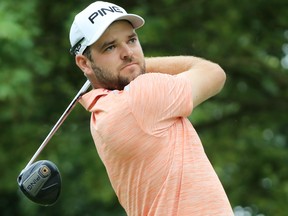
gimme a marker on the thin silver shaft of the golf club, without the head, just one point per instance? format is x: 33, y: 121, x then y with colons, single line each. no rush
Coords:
x: 60, y: 121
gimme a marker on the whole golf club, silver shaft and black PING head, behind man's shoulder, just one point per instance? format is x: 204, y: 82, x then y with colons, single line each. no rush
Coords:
x: 41, y: 181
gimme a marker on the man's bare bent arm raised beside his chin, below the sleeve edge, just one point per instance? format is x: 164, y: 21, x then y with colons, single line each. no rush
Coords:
x: 206, y: 78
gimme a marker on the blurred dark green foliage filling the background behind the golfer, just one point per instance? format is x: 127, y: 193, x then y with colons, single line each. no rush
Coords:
x: 244, y: 129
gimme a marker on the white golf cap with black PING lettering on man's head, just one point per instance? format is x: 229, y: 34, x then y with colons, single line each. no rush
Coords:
x: 90, y: 24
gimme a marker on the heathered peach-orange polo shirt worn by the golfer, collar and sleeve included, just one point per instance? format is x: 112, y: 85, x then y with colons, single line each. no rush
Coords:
x: 153, y: 156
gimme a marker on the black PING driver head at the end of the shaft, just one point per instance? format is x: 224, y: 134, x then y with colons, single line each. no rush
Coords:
x: 41, y: 182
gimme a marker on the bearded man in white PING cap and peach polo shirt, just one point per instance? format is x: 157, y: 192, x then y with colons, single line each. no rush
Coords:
x: 139, y: 108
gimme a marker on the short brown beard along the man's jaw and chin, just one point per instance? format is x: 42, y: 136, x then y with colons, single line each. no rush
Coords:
x: 108, y: 80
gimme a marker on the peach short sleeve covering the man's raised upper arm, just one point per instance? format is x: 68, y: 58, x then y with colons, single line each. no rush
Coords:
x: 158, y: 100
